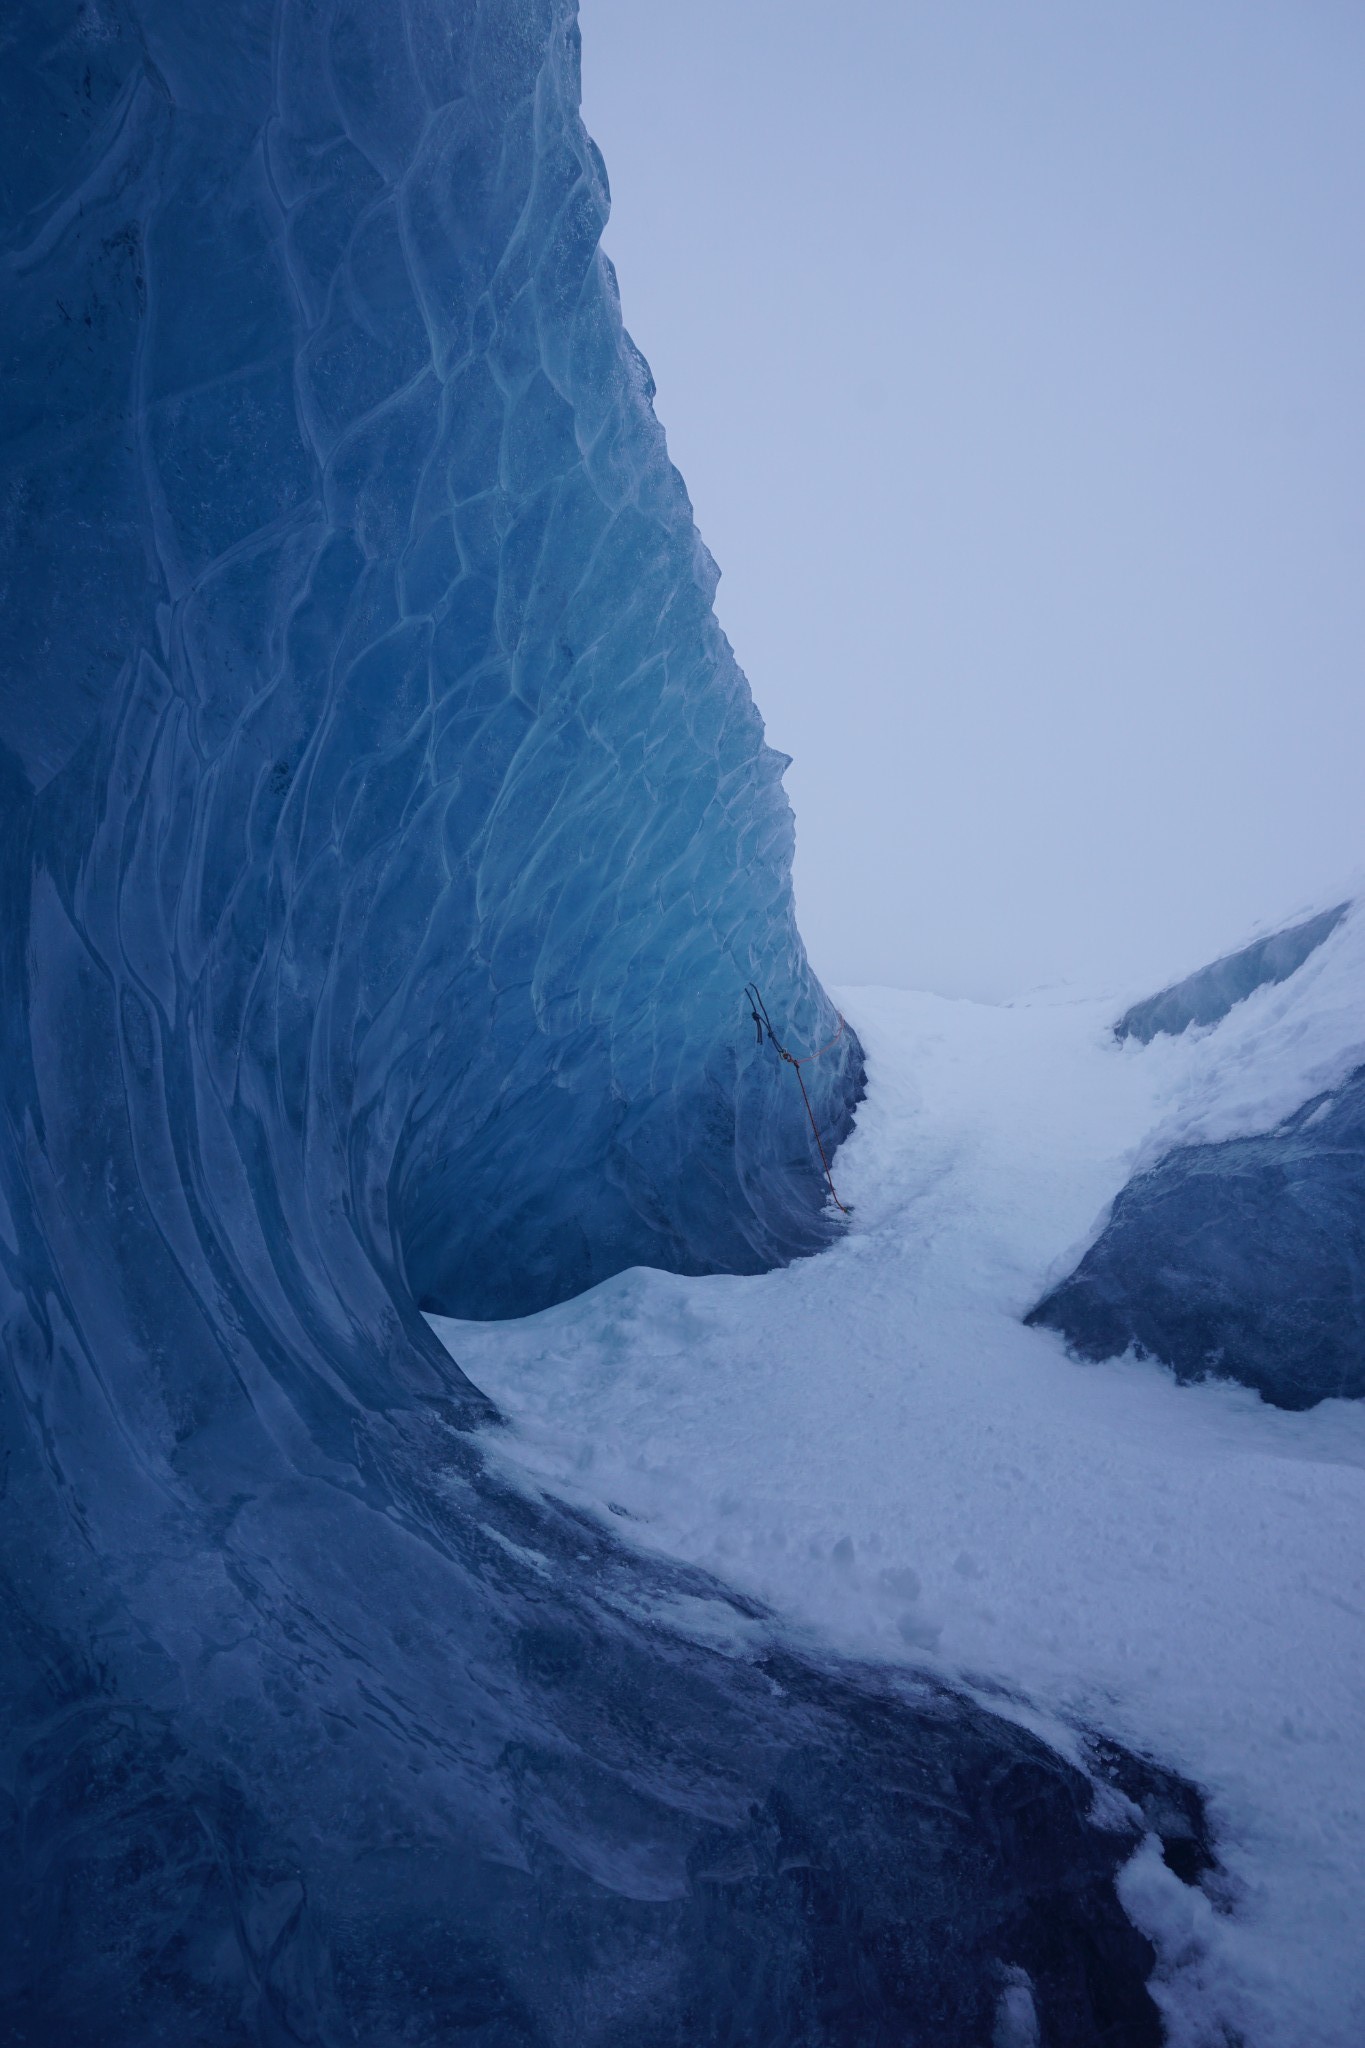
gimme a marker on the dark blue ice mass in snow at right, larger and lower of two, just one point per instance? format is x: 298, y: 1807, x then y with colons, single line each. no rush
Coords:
x: 1243, y: 1261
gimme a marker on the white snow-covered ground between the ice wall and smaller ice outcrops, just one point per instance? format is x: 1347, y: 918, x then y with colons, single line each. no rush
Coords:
x: 875, y: 1447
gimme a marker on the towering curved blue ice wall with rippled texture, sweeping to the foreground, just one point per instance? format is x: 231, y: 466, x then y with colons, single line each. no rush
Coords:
x: 386, y: 835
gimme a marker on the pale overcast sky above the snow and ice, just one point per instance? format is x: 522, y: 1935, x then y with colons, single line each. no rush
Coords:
x: 1012, y: 353
